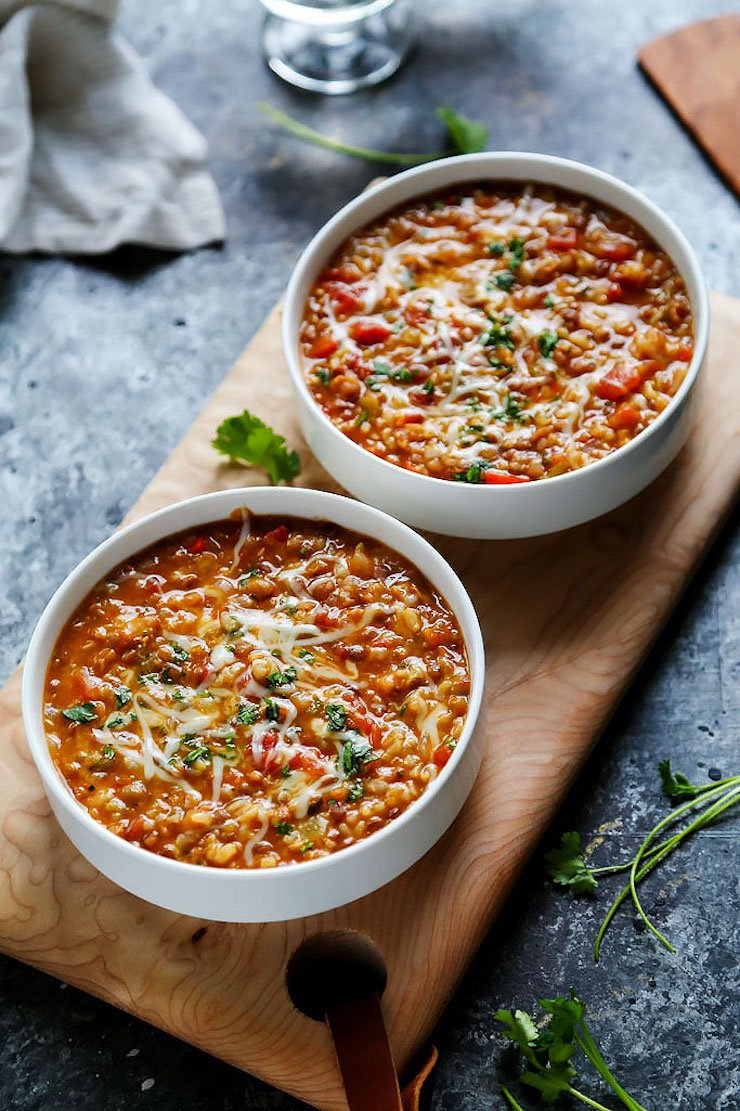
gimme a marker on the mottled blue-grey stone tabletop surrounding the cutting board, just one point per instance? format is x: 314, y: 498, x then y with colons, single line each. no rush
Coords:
x: 105, y: 365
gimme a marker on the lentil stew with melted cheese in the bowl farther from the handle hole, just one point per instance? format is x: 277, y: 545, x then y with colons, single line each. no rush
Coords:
x: 497, y: 335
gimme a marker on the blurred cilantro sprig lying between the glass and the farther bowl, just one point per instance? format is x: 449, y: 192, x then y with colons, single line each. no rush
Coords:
x: 465, y: 136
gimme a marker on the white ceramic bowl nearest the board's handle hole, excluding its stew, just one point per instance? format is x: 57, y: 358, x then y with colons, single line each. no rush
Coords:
x: 295, y: 890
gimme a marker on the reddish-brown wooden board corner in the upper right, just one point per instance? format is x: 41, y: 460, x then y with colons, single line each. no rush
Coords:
x: 698, y: 72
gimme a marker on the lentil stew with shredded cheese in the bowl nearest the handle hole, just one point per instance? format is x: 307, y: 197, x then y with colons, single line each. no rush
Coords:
x: 256, y: 693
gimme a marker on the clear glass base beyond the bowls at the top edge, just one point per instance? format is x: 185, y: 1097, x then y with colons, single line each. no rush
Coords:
x: 336, y: 46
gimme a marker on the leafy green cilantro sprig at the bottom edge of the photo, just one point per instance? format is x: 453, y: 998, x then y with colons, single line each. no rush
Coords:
x: 548, y: 1054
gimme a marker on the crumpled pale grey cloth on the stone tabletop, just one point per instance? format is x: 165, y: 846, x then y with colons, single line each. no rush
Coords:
x: 92, y: 154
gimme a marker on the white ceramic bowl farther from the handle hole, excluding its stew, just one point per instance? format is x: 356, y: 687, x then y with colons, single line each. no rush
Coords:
x: 496, y: 512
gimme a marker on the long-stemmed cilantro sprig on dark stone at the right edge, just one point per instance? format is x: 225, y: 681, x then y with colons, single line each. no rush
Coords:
x: 695, y: 808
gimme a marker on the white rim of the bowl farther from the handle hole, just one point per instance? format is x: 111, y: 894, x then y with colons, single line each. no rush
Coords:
x: 315, y: 256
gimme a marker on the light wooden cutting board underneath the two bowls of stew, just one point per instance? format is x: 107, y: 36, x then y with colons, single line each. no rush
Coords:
x: 567, y: 620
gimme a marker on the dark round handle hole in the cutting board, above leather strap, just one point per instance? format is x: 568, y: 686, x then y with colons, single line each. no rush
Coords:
x: 331, y: 969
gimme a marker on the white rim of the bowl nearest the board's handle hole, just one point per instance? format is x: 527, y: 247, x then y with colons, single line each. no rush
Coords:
x: 44, y: 642
